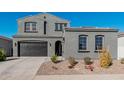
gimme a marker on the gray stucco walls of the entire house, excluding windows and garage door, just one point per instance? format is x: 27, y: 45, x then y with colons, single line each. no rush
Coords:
x: 69, y: 37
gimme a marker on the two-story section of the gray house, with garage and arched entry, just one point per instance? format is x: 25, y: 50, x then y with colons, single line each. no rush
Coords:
x: 39, y: 35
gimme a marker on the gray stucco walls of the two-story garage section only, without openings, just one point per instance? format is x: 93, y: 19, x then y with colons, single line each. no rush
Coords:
x: 51, y: 35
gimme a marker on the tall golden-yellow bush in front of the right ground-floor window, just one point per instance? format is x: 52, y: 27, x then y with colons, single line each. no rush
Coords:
x: 105, y: 58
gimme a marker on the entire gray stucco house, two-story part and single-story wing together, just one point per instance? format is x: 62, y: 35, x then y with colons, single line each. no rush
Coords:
x: 46, y: 35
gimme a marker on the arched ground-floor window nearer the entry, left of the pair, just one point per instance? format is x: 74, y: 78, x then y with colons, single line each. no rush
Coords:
x: 83, y: 42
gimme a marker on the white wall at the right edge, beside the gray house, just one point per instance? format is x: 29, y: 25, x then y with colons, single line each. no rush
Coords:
x: 120, y: 47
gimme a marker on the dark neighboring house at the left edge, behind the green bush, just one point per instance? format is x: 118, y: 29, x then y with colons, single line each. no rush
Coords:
x: 6, y: 45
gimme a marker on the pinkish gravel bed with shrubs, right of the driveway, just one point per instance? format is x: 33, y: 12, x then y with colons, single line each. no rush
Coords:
x: 104, y: 65
